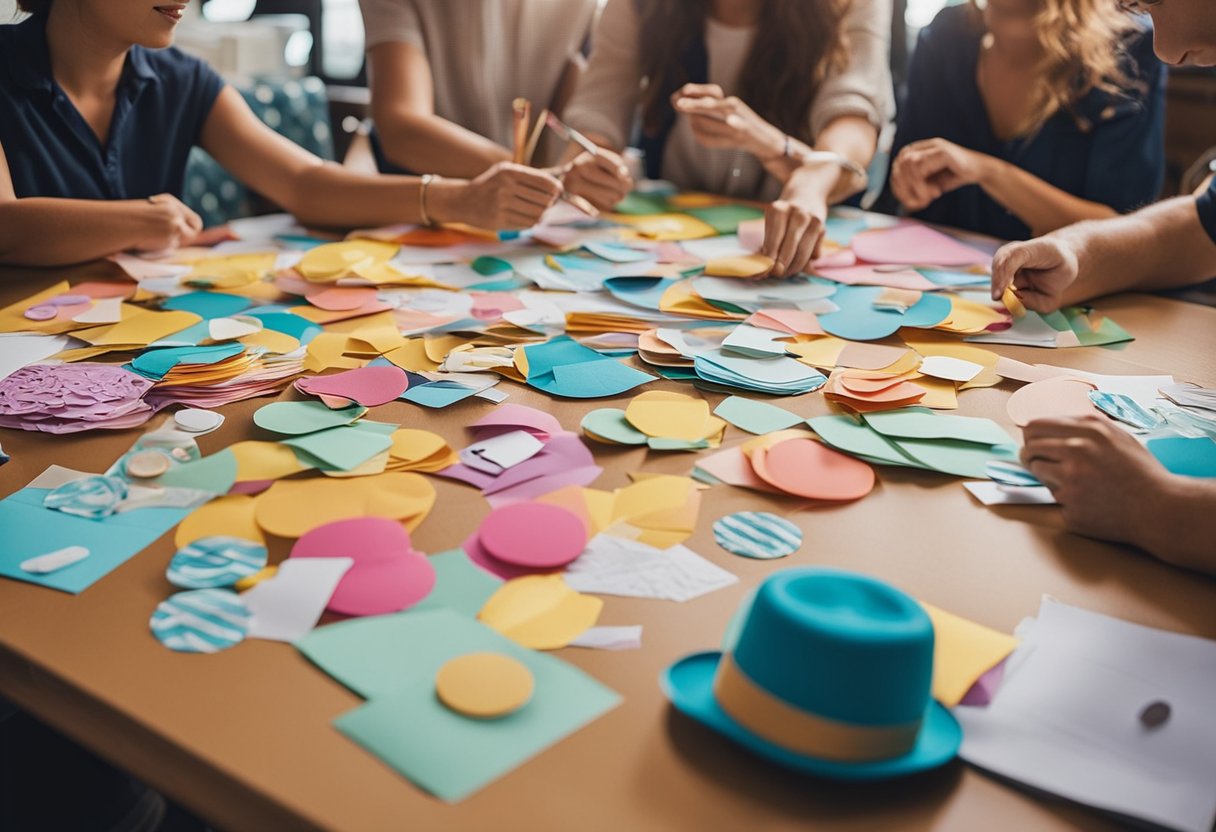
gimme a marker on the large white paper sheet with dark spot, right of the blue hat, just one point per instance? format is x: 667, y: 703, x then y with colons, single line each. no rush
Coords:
x: 1067, y: 718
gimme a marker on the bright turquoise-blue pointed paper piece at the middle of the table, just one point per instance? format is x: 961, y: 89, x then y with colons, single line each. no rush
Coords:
x: 565, y: 368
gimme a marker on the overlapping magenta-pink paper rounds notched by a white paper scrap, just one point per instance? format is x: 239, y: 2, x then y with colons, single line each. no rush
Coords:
x: 389, y: 575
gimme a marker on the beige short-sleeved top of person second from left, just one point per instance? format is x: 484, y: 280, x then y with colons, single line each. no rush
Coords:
x: 485, y: 54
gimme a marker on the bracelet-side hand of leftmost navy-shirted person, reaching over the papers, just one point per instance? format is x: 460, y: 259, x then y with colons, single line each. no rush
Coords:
x: 504, y: 198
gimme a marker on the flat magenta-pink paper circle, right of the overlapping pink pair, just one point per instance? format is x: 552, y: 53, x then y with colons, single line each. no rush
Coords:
x: 534, y: 535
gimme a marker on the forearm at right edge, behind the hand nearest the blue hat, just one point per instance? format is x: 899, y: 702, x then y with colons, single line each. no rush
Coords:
x: 1184, y: 525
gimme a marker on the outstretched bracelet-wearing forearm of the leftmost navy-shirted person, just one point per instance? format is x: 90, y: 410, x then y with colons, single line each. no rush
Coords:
x: 330, y: 196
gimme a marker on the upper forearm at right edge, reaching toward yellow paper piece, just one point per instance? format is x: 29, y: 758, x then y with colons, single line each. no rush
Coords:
x: 1157, y: 249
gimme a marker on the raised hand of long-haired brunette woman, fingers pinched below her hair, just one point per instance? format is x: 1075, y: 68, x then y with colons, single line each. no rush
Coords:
x: 727, y: 122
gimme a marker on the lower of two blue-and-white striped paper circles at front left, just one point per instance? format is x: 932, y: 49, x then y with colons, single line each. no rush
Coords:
x: 201, y: 621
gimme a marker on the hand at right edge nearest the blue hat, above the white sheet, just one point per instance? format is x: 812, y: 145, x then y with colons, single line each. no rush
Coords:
x: 1106, y: 482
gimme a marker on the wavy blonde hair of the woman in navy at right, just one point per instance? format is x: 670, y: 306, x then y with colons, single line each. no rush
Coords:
x: 1085, y: 49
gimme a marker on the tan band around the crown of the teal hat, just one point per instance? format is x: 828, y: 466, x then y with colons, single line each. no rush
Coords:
x: 797, y: 730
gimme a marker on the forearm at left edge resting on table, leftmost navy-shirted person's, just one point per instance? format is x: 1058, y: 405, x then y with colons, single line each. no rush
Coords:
x: 49, y: 233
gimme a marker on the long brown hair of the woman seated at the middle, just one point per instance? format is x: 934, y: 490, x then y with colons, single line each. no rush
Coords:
x: 798, y: 44
